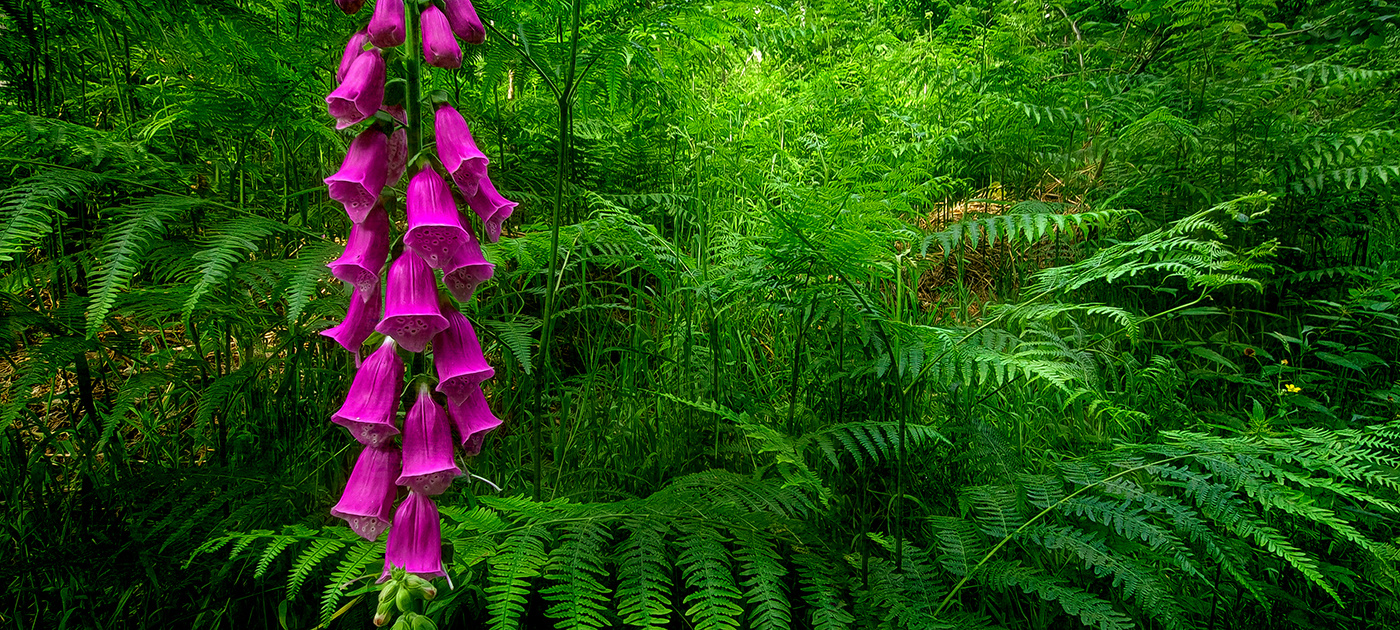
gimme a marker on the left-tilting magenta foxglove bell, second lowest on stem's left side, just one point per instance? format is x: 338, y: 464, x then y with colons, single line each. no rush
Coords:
x: 374, y: 398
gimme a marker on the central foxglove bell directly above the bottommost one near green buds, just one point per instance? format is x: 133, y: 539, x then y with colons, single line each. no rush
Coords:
x: 428, y: 447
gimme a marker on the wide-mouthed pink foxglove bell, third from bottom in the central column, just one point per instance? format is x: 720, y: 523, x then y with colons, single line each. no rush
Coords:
x: 411, y: 307
